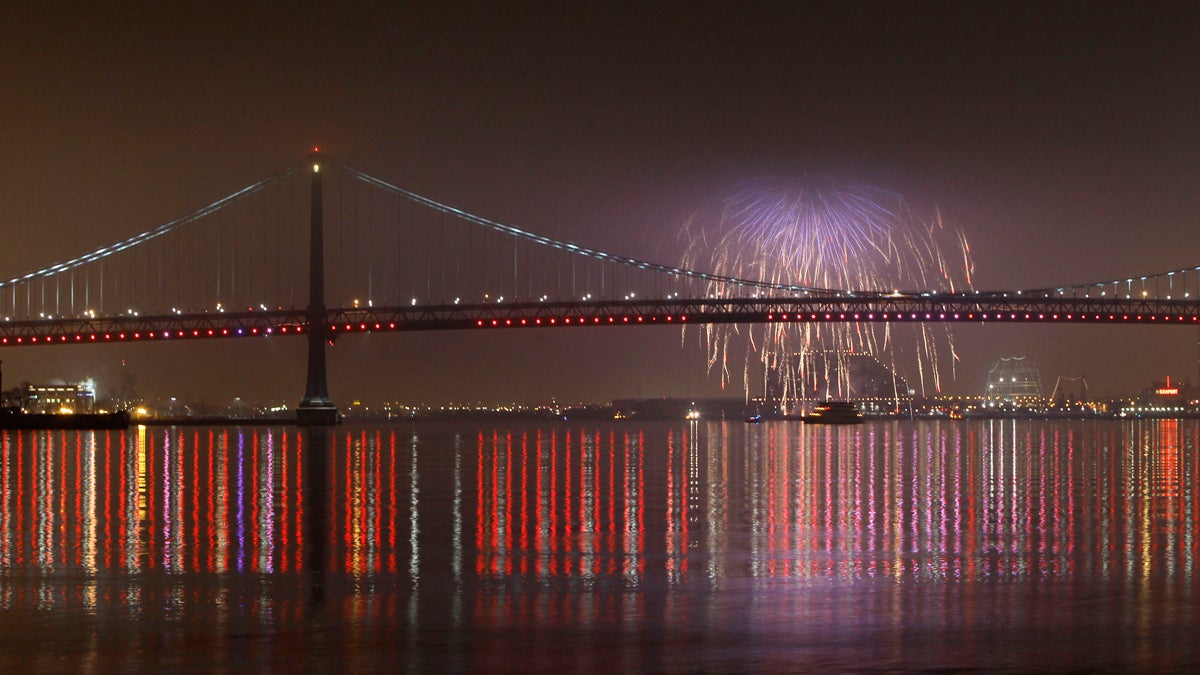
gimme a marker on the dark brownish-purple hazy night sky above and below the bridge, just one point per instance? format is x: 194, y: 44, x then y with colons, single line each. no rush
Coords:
x: 1065, y: 142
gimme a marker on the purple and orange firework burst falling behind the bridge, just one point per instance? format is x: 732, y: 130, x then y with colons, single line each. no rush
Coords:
x: 818, y: 234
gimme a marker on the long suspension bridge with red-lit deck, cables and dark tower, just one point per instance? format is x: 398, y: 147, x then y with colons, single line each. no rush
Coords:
x: 383, y: 259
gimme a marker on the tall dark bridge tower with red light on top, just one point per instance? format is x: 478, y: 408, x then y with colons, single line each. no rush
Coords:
x: 316, y: 409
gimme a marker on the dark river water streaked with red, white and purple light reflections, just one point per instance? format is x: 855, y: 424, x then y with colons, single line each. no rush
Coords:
x: 995, y: 546
